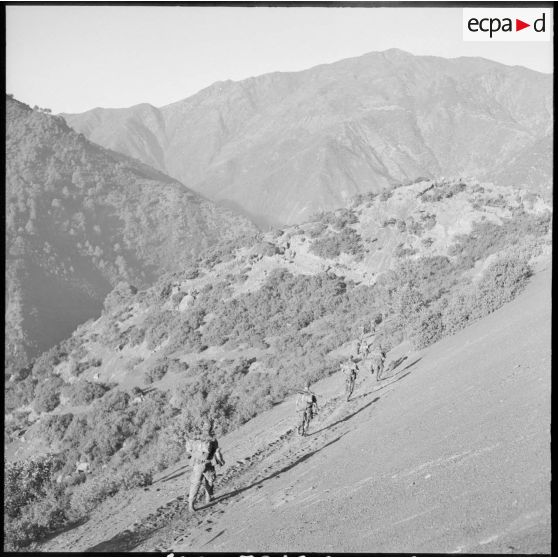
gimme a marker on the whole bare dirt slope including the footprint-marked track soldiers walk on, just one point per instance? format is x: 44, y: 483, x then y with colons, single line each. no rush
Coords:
x: 450, y: 454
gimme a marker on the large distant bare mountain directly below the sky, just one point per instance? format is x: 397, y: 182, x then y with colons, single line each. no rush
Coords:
x: 282, y: 146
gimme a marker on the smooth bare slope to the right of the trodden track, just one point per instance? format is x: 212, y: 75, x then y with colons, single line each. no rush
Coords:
x: 453, y: 458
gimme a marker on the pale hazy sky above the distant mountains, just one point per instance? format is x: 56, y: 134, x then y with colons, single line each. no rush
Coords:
x: 74, y: 58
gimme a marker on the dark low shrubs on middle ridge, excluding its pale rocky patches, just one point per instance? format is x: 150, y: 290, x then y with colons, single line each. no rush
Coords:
x: 289, y: 326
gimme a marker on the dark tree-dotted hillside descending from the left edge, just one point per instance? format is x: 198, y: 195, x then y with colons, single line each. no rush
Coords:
x: 80, y: 219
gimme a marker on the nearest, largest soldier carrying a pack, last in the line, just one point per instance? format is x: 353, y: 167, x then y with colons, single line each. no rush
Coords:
x: 205, y: 455
